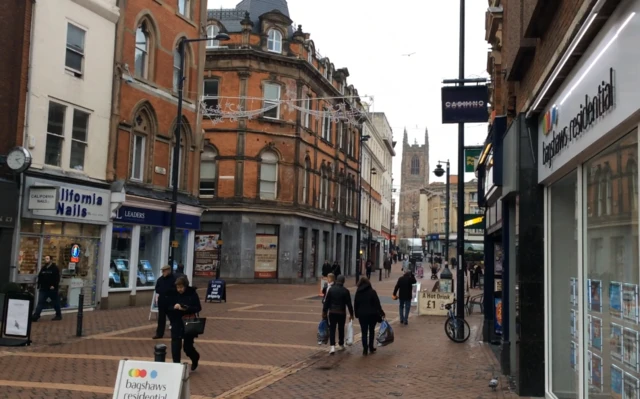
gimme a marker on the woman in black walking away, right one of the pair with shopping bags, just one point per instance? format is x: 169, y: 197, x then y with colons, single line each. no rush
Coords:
x: 369, y: 312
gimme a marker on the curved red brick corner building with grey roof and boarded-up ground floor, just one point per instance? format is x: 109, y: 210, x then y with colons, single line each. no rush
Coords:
x: 285, y: 170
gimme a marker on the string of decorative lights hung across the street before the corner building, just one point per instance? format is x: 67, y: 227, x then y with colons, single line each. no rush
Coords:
x: 339, y: 109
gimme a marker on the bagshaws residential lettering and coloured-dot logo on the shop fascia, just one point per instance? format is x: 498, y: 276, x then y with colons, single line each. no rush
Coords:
x: 558, y: 137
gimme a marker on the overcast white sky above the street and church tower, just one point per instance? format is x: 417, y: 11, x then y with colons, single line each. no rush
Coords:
x: 369, y: 37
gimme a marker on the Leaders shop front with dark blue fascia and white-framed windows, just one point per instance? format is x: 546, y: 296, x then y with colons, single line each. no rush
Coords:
x: 139, y: 246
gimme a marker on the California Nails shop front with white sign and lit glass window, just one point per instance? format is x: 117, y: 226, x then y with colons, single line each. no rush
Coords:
x: 68, y: 223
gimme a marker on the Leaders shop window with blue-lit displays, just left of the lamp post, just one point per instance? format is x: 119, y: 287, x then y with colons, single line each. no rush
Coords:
x: 149, y: 261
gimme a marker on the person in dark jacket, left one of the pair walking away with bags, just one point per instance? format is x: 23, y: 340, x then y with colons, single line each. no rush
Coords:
x: 336, y: 302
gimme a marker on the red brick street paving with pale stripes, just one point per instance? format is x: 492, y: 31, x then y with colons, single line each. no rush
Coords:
x: 261, y: 344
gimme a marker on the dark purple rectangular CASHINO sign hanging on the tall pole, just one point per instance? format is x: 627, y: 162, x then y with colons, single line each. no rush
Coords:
x: 465, y: 104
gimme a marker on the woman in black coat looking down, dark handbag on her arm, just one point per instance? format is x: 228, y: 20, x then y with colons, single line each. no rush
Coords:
x: 184, y: 304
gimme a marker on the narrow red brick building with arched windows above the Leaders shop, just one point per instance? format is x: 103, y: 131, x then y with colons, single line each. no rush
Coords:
x: 142, y: 137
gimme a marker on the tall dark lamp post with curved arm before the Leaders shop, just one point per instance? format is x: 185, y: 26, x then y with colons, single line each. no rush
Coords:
x: 175, y: 167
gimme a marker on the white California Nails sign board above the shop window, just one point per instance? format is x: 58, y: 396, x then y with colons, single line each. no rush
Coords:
x: 53, y: 200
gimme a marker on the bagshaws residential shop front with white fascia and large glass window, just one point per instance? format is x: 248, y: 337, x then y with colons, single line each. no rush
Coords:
x: 588, y: 151
